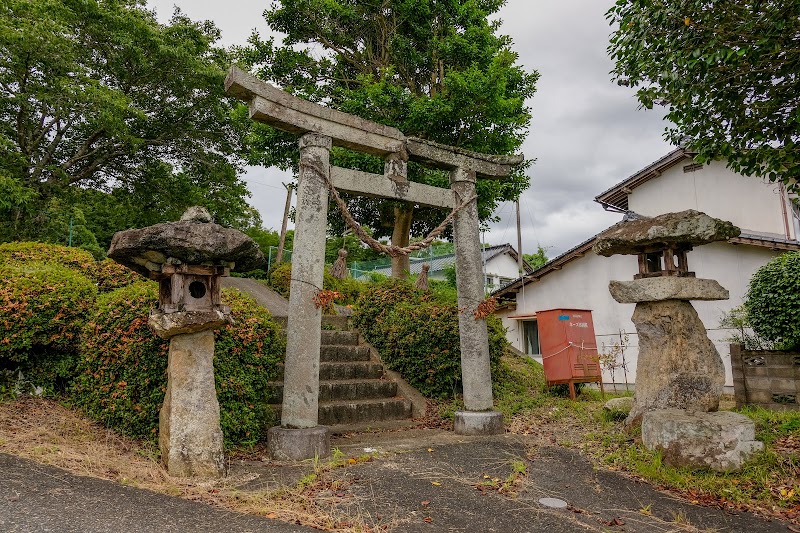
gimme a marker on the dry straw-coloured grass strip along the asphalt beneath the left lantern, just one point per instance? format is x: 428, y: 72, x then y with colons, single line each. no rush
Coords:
x: 49, y: 433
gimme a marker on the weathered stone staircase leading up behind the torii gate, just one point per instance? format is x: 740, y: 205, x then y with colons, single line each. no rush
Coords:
x: 355, y: 391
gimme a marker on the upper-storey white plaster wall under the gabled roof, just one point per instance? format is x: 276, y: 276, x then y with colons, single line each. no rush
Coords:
x: 749, y: 202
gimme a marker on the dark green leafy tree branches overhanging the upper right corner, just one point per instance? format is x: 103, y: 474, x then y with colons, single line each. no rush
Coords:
x: 727, y: 72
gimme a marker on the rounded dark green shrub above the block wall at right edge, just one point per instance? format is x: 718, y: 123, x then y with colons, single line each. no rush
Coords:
x: 773, y: 301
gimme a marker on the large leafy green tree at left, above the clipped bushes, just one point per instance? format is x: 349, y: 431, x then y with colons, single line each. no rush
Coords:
x: 103, y: 108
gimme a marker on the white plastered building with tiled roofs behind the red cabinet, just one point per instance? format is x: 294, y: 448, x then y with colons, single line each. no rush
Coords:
x: 578, y: 278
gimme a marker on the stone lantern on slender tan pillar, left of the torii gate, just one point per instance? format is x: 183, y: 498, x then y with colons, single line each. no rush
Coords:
x: 188, y: 258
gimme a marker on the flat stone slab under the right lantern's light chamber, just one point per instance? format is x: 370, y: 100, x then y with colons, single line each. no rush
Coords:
x: 666, y: 288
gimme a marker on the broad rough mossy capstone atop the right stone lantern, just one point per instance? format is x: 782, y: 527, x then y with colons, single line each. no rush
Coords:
x: 689, y: 227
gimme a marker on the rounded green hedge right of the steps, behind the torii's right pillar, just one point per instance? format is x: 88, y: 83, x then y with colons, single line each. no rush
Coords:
x: 417, y: 335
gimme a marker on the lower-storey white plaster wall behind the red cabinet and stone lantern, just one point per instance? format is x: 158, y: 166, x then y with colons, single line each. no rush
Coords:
x: 583, y: 284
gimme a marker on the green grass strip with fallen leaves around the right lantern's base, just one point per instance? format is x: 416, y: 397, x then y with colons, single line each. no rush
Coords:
x: 769, y: 483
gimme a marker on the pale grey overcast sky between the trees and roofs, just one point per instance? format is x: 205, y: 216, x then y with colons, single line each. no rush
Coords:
x: 587, y: 133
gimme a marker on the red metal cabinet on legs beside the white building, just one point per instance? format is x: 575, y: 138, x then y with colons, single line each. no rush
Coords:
x: 569, y: 347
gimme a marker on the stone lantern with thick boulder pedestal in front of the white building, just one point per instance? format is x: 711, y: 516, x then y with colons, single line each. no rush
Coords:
x: 678, y: 366
